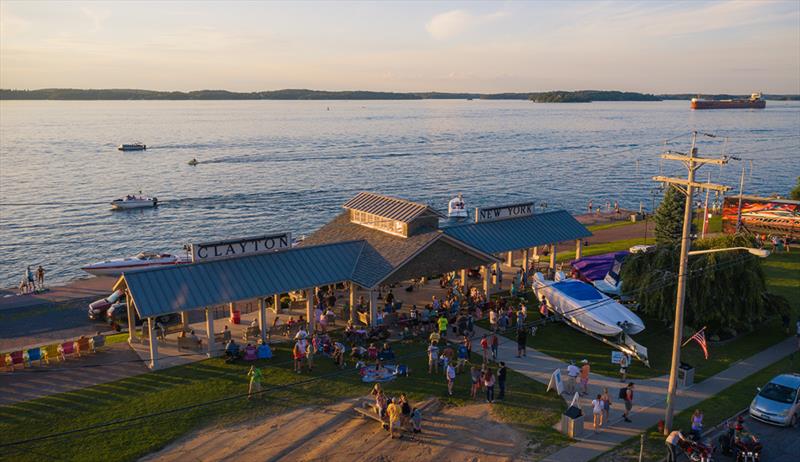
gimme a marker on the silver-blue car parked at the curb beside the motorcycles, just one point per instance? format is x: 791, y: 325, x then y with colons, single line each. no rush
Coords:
x: 778, y: 402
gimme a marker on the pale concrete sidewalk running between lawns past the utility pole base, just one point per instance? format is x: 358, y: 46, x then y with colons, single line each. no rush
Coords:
x: 649, y: 395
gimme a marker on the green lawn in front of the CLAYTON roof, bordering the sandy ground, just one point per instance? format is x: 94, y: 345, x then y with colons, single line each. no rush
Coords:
x: 529, y: 406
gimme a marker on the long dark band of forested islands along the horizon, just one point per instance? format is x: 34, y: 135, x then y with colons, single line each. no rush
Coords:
x: 580, y: 96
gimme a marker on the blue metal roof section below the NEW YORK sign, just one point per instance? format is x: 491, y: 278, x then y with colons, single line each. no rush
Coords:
x: 519, y: 233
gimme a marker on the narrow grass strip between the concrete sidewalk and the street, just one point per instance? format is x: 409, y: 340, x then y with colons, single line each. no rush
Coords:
x: 715, y: 409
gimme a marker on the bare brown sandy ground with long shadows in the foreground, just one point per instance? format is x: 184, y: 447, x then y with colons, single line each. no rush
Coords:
x: 468, y: 433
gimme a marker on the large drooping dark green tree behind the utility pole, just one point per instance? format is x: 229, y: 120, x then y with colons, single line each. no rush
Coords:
x: 724, y: 290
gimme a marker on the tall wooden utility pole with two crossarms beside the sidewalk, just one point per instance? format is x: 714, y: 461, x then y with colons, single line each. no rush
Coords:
x: 692, y: 163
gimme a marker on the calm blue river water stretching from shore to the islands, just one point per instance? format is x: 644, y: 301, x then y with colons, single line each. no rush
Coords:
x: 274, y: 166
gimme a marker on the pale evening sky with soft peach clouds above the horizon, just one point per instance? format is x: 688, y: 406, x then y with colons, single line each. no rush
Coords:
x: 490, y: 47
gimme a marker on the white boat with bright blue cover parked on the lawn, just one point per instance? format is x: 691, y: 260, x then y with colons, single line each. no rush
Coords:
x: 586, y: 307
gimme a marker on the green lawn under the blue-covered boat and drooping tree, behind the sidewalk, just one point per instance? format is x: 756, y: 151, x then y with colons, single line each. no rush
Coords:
x: 563, y: 342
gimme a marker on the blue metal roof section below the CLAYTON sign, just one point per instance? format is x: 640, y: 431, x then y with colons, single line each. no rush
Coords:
x: 179, y: 288
